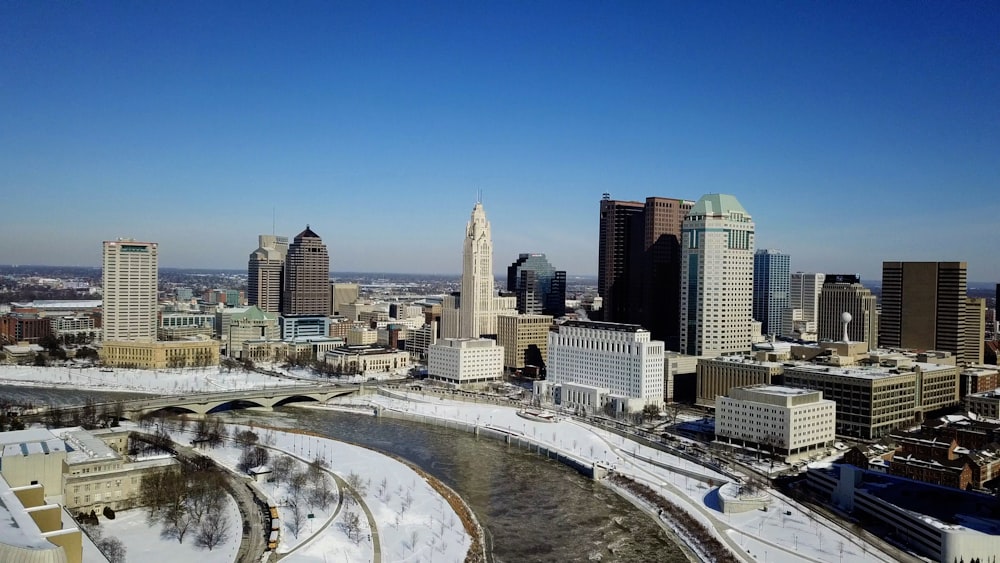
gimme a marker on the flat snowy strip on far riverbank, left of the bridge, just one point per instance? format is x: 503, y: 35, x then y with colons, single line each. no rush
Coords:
x: 167, y: 381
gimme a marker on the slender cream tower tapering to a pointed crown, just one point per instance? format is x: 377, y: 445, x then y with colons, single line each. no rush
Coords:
x: 477, y: 309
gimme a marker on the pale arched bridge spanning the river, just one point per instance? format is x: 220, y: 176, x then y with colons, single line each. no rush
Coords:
x: 206, y: 403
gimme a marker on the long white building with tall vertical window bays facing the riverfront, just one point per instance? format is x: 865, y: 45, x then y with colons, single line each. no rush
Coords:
x: 613, y: 356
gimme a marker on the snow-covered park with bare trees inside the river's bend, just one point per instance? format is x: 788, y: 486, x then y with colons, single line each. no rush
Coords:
x: 412, y: 521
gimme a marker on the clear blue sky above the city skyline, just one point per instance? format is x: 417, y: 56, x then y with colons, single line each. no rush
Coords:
x: 853, y: 132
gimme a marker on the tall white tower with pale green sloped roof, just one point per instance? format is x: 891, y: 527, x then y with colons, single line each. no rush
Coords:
x: 717, y: 277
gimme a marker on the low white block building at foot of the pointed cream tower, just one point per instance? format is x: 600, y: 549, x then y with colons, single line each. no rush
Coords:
x: 463, y: 361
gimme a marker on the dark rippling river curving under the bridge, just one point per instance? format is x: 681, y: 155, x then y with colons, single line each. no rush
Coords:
x: 533, y: 509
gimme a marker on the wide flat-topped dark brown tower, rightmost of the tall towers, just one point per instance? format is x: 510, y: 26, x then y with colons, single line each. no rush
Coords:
x: 923, y: 306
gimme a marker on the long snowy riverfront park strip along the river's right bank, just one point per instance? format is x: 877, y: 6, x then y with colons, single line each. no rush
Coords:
x: 785, y: 532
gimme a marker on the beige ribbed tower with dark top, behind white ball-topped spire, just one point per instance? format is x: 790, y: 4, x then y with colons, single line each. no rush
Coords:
x: 841, y: 294
